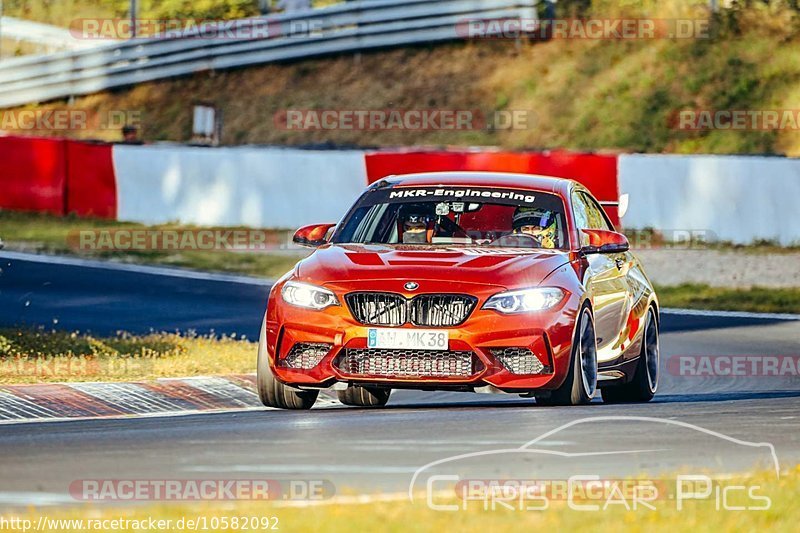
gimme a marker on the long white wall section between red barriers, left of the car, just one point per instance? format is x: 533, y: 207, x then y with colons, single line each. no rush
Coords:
x: 259, y: 187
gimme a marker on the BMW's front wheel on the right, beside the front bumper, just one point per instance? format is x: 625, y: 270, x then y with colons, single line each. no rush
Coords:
x: 581, y: 382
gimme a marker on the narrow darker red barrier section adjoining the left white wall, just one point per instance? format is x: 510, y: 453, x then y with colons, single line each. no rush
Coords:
x: 91, y: 185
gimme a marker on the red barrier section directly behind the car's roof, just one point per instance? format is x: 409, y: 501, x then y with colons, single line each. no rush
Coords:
x: 597, y: 172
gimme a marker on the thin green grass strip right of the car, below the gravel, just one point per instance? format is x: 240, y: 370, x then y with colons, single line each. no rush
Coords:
x: 756, y: 299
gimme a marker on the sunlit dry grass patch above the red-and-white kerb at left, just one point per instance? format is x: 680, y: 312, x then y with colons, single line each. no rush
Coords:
x: 28, y: 356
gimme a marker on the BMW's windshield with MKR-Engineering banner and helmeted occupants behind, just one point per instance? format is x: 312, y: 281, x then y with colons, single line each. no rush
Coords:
x: 456, y: 216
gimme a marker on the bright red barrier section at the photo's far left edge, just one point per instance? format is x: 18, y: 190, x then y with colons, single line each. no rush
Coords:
x: 32, y: 174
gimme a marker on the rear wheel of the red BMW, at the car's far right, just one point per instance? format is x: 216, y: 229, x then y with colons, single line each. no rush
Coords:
x: 644, y: 384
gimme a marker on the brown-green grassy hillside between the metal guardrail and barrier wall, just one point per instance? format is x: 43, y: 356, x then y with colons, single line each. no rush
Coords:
x: 578, y: 94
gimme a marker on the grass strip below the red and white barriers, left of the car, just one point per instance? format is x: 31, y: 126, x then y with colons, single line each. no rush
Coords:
x: 42, y: 233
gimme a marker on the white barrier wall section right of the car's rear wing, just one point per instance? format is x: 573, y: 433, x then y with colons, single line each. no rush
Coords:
x: 737, y: 198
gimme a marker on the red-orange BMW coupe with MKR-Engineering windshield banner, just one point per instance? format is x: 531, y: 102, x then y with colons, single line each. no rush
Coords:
x: 477, y: 282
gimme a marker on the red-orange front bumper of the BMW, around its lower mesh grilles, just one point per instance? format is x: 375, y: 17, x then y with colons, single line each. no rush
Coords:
x: 548, y: 335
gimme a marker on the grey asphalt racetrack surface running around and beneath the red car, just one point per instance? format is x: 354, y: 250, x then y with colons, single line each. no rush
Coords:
x: 705, y: 423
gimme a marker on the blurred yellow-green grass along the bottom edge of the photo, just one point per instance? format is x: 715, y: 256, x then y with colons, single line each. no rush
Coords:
x: 701, y: 516
